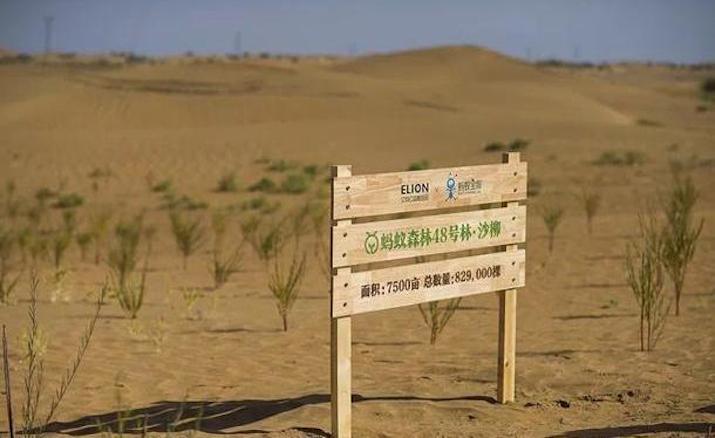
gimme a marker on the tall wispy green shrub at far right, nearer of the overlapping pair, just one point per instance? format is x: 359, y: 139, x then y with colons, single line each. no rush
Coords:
x: 644, y: 273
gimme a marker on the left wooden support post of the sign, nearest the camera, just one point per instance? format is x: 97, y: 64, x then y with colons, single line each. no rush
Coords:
x: 340, y: 347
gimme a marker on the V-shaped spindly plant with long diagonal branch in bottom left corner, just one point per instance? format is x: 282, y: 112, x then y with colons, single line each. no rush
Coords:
x: 35, y: 424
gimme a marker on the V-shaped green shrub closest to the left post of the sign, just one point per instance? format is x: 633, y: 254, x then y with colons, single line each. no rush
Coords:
x: 285, y: 282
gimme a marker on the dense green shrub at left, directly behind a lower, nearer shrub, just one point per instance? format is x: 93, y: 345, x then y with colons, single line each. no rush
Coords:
x: 123, y: 253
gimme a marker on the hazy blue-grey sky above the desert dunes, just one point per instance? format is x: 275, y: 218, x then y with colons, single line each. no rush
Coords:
x: 681, y: 31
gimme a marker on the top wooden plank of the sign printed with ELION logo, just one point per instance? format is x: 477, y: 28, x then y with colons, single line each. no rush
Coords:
x: 386, y: 193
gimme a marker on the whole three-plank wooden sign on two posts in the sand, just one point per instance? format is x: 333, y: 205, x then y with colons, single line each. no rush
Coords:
x: 454, y: 212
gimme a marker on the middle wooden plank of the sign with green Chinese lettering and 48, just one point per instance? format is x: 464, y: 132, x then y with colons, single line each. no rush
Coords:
x: 403, y: 238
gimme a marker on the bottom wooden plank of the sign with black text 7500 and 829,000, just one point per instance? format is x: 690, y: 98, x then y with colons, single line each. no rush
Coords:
x: 387, y: 288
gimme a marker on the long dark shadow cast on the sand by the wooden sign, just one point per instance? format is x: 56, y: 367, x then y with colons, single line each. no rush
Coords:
x: 218, y: 417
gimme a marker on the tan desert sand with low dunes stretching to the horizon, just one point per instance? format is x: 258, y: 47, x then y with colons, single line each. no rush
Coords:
x: 579, y: 369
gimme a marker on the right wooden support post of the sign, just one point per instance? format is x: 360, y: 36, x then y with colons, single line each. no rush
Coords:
x: 507, y: 326
